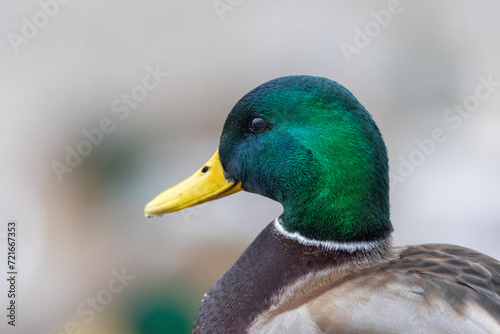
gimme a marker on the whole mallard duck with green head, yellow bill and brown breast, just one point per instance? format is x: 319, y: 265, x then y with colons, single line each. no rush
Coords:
x: 327, y: 264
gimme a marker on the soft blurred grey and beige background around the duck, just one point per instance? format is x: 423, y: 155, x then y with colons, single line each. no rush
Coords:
x: 88, y: 260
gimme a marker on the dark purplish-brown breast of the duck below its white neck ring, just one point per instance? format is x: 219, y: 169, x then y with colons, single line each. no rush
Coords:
x: 270, y: 264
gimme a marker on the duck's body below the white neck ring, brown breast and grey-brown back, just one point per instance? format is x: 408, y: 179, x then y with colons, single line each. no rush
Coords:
x: 430, y: 288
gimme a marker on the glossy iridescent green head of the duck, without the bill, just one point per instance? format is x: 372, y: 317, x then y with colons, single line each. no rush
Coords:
x: 307, y: 143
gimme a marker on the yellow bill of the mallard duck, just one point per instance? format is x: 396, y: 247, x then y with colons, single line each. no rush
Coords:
x: 207, y: 184
